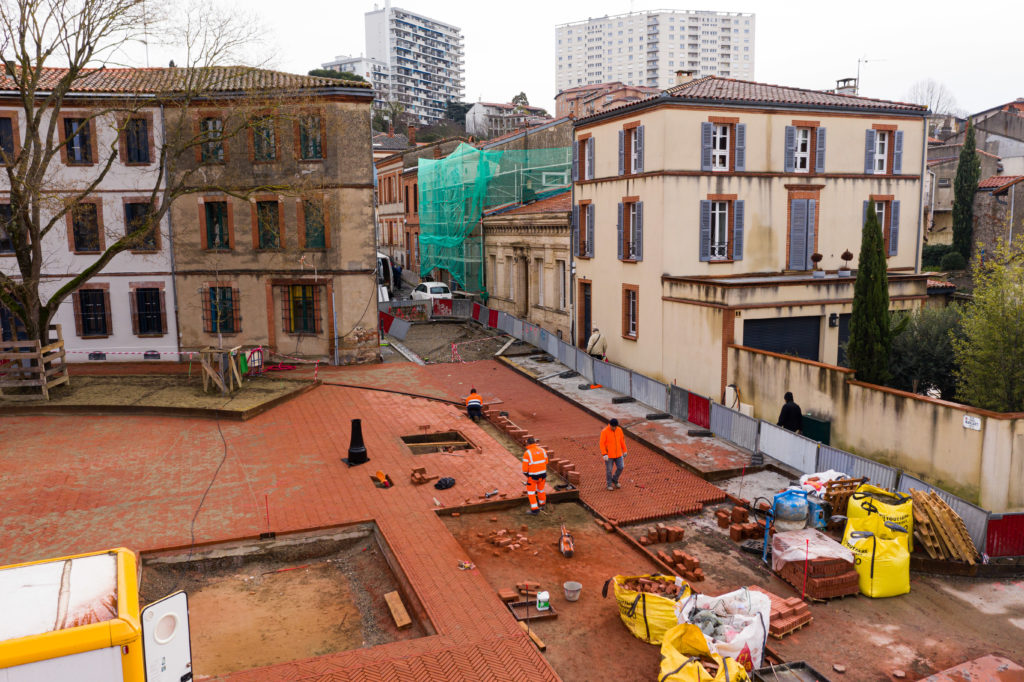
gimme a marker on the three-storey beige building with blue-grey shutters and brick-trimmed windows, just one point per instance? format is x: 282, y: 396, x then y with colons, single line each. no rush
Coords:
x: 698, y: 211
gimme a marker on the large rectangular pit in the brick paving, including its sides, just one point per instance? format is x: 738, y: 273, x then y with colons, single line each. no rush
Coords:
x: 300, y: 595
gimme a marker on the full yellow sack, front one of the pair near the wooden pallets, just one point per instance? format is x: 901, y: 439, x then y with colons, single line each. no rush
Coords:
x: 882, y: 561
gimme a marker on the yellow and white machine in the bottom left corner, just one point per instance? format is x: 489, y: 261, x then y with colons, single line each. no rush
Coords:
x: 77, y: 618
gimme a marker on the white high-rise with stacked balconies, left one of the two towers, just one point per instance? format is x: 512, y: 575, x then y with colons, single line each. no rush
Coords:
x: 413, y: 60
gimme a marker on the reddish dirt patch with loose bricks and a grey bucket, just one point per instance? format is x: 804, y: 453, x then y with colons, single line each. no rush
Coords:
x: 588, y: 641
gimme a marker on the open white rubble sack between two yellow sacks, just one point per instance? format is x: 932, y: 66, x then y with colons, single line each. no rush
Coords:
x: 733, y: 625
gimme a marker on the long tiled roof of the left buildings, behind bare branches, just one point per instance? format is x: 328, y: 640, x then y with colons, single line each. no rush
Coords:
x: 172, y: 80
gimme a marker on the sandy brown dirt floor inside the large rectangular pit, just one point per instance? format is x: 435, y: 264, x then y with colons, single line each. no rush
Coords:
x: 267, y: 612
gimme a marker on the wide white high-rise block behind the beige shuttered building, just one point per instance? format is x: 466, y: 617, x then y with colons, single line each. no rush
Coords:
x: 649, y: 48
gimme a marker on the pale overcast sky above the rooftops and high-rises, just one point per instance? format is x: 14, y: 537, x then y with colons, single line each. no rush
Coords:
x: 975, y: 51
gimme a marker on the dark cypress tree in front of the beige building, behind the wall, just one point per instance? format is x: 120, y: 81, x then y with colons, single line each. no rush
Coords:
x: 871, y: 337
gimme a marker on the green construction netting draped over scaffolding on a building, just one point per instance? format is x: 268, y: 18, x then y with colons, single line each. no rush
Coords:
x: 456, y: 192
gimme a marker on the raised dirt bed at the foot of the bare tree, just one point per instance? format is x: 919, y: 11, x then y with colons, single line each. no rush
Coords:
x: 163, y: 392
